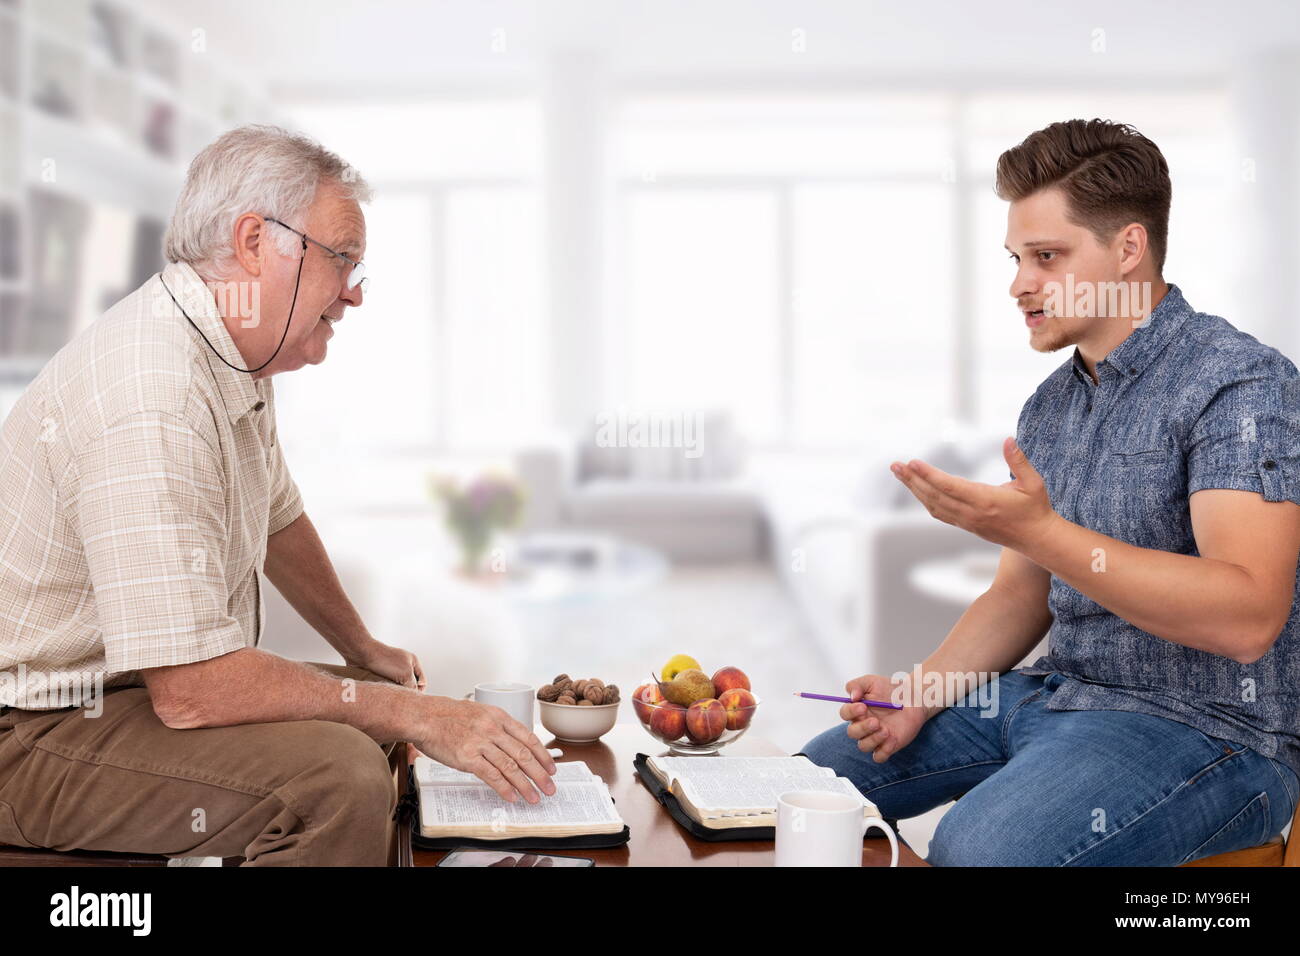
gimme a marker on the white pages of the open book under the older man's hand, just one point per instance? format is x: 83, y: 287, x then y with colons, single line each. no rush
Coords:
x: 458, y: 804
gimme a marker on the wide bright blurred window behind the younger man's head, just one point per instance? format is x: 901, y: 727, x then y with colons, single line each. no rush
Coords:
x: 831, y: 267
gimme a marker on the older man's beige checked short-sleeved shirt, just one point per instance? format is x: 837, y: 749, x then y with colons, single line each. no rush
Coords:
x: 140, y: 479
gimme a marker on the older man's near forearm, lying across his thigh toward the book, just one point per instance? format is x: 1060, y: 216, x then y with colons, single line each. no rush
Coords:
x: 252, y: 686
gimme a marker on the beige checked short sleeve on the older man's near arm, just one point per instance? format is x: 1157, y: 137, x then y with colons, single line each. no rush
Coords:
x: 149, y: 503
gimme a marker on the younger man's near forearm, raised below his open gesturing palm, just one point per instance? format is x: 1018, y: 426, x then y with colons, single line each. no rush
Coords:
x: 1199, y: 603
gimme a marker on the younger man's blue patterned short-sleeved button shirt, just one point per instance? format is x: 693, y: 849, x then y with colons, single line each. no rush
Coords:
x: 1185, y: 403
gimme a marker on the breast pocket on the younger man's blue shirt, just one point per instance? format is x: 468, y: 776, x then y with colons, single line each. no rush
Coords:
x: 1147, y: 500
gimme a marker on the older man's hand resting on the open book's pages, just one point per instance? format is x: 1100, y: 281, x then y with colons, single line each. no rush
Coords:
x: 487, y: 742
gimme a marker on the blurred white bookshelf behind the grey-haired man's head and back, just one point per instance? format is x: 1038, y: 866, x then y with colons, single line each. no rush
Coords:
x: 102, y: 107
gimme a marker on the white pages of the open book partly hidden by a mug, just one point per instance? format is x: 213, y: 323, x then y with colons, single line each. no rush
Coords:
x: 725, y: 793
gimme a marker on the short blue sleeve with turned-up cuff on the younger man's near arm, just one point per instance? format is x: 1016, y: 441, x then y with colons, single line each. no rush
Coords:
x: 1249, y: 436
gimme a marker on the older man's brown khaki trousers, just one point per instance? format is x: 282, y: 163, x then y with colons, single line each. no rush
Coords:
x: 284, y: 794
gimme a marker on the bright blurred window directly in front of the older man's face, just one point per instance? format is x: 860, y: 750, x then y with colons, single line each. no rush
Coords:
x: 449, y: 351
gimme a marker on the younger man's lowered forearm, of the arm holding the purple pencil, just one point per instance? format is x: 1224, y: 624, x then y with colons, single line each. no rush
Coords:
x: 991, y: 638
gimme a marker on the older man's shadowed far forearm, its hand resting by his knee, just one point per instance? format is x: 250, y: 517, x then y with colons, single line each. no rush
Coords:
x: 301, y: 570
